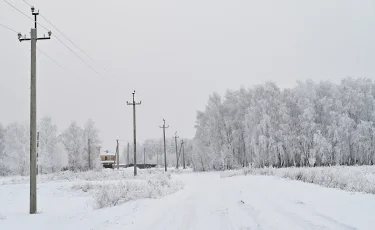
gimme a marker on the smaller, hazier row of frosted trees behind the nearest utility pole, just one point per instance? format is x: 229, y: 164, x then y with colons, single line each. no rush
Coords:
x: 68, y: 150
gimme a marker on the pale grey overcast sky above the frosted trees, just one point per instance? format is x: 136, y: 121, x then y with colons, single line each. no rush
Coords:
x: 175, y: 54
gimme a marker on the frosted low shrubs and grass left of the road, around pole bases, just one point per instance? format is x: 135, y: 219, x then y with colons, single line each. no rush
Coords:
x: 111, y: 187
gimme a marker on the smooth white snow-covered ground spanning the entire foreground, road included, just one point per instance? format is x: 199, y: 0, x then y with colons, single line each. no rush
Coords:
x: 207, y: 202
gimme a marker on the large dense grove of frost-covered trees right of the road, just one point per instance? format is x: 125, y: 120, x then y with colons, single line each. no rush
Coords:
x: 312, y: 124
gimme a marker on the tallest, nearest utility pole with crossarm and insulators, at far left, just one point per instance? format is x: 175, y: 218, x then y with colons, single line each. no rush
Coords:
x: 33, y: 145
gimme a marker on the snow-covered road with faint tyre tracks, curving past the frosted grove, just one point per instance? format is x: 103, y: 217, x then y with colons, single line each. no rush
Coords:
x: 255, y: 202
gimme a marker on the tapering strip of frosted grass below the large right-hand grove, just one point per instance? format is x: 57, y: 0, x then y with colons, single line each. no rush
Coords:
x: 350, y: 178
